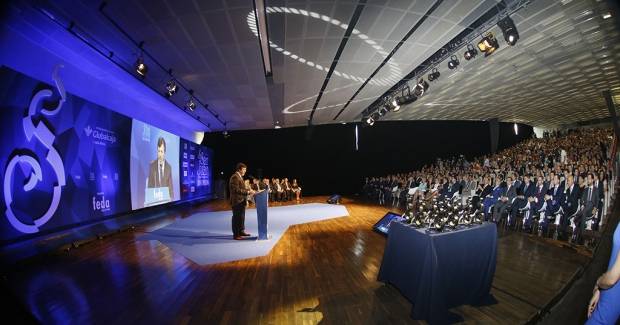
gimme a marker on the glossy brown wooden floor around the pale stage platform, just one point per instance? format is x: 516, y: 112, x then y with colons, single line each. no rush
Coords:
x: 322, y: 272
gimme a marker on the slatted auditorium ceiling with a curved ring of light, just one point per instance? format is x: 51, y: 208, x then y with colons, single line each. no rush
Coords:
x: 567, y: 54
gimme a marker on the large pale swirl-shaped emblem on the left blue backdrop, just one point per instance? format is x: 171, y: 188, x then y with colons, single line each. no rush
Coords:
x: 30, y: 163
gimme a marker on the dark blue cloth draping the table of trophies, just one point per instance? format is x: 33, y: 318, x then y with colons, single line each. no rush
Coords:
x: 438, y: 271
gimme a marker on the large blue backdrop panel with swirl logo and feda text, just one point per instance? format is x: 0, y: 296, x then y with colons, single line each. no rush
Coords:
x: 63, y: 161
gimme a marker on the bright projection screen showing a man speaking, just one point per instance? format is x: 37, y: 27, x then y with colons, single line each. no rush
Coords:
x: 154, y: 166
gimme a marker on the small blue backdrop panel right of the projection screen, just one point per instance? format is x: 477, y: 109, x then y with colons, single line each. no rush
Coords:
x: 195, y: 170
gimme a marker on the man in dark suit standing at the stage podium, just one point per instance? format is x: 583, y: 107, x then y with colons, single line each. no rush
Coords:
x: 238, y: 196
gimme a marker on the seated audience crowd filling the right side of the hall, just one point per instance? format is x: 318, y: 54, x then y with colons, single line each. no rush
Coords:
x: 559, y: 186
